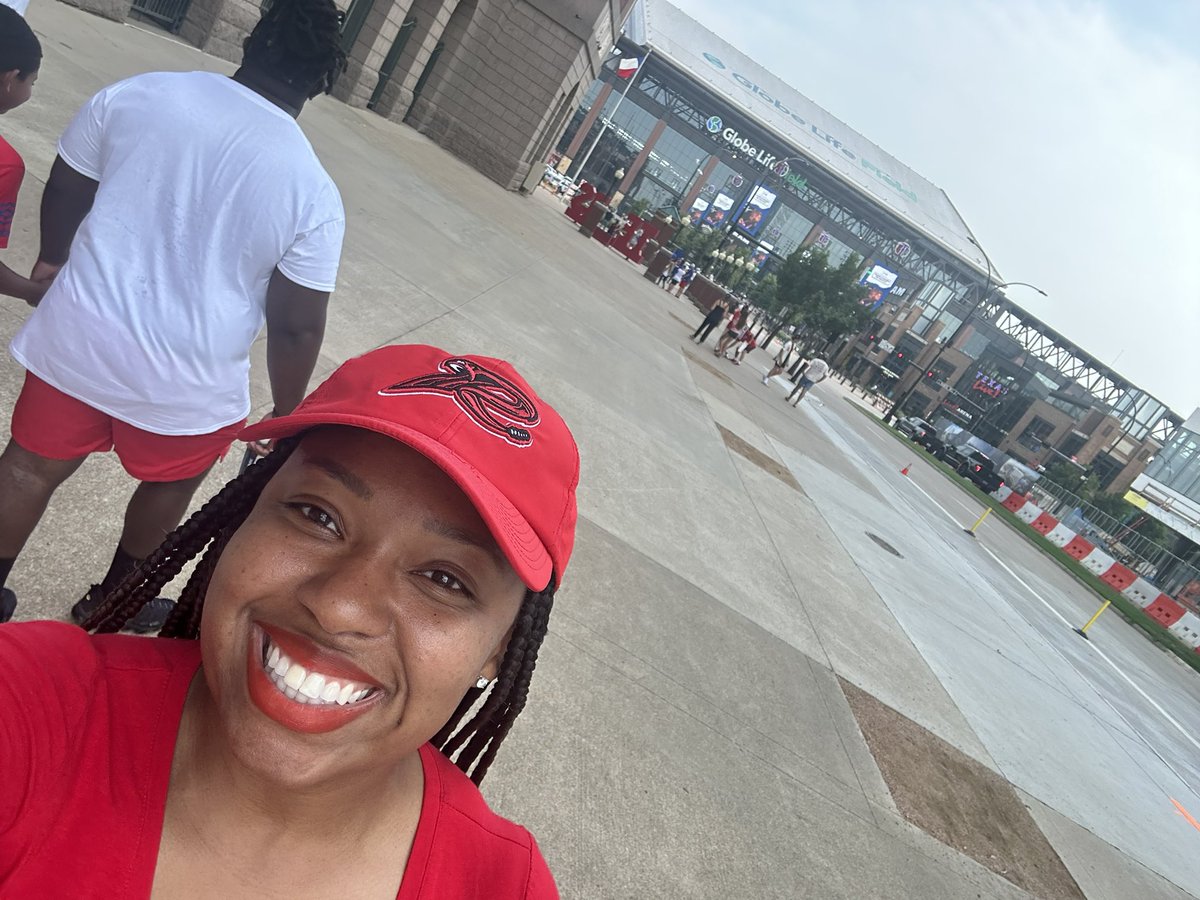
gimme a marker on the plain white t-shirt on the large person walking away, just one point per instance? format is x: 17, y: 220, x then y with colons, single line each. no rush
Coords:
x: 206, y: 189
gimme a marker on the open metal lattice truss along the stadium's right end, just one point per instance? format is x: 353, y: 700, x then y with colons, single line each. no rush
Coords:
x: 1141, y: 415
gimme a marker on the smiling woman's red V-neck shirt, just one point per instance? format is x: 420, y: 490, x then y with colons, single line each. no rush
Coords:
x: 88, y: 729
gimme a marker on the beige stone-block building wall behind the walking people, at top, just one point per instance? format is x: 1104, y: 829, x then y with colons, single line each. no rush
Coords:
x: 507, y: 81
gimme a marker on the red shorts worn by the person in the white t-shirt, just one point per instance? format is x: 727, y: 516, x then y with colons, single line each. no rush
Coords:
x: 52, y: 424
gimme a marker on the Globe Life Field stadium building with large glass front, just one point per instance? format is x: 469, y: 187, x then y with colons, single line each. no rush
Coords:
x: 707, y: 135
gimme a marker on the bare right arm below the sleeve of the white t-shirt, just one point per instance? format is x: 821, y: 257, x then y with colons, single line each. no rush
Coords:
x: 296, y: 327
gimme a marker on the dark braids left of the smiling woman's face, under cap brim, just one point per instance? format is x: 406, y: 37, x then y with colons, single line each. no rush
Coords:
x: 223, y: 513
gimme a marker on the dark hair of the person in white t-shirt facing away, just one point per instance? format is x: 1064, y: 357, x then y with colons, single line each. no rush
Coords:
x: 301, y: 44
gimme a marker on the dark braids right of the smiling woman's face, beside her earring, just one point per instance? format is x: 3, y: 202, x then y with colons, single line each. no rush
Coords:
x: 473, y: 742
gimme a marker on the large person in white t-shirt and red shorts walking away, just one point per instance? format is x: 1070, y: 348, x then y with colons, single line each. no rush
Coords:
x: 184, y: 212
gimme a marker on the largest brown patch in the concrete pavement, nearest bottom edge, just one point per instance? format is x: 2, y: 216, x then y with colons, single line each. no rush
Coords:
x: 958, y: 801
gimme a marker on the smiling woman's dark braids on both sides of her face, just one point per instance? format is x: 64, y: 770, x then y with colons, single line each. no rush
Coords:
x: 475, y: 731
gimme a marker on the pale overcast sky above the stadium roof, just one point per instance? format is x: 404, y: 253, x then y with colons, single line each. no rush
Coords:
x: 1067, y: 134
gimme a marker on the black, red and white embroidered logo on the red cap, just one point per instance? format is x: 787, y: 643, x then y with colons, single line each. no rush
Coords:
x: 490, y: 400
